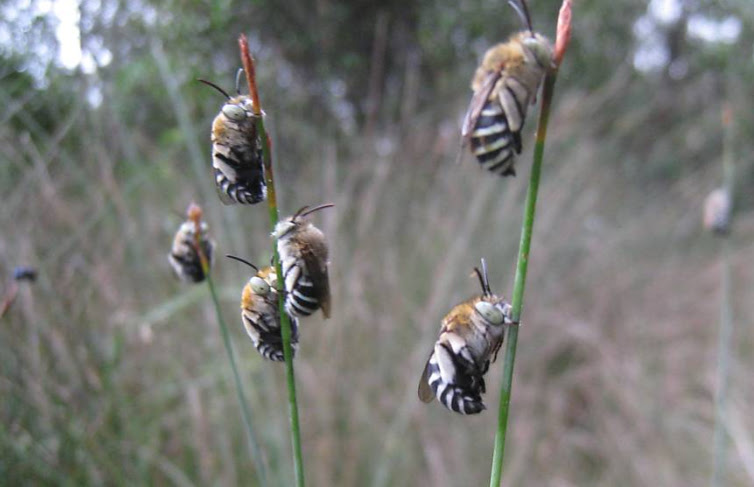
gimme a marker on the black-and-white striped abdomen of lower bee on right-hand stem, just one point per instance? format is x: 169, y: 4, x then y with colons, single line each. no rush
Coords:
x: 462, y: 394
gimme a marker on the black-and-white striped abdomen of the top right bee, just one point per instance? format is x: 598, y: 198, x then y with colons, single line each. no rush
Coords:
x: 492, y: 141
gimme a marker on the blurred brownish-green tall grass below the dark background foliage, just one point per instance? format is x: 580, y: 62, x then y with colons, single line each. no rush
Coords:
x: 114, y: 373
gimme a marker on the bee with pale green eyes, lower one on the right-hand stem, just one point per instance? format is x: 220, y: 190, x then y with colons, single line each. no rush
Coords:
x: 471, y: 335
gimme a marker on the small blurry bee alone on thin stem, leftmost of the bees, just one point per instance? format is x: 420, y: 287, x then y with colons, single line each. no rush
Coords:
x: 183, y: 256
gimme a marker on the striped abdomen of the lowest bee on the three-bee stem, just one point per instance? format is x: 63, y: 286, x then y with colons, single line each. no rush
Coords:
x: 264, y: 331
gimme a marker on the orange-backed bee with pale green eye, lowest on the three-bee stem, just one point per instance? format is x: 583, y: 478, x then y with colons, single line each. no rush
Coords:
x: 260, y: 314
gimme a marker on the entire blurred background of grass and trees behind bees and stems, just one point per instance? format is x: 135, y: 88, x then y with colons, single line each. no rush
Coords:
x: 111, y: 372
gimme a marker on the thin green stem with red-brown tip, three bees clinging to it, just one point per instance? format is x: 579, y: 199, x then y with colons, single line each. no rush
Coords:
x: 285, y: 325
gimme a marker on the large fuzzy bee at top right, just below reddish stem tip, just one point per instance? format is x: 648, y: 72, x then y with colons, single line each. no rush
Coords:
x: 504, y: 85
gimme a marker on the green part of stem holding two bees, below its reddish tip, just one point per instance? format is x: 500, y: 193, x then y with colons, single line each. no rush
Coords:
x: 520, y: 281
